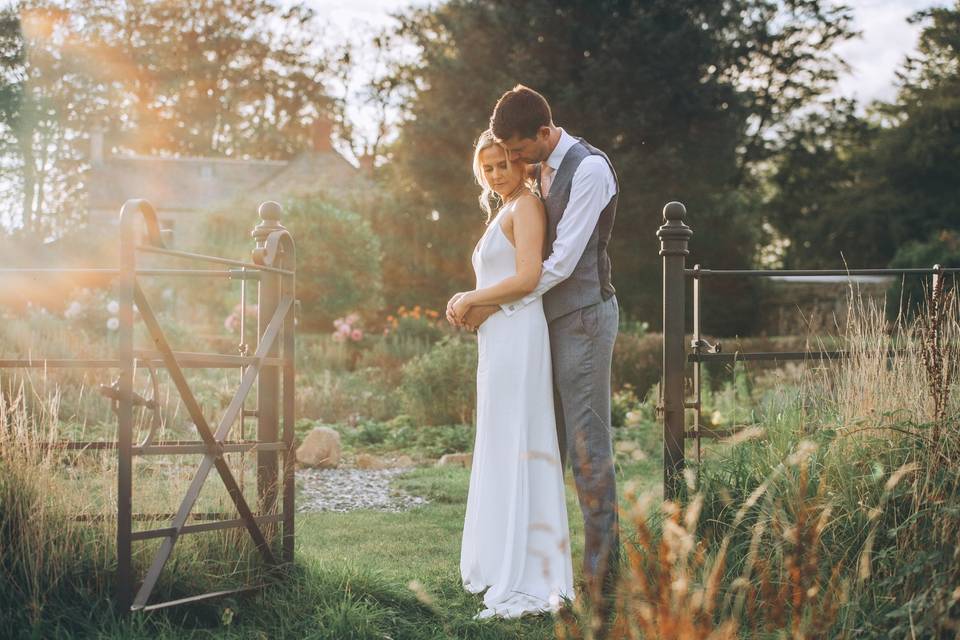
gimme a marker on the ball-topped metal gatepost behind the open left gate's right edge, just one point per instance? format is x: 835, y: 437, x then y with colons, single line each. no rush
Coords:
x: 268, y: 384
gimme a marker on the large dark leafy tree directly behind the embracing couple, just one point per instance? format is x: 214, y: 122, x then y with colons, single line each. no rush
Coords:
x: 679, y: 93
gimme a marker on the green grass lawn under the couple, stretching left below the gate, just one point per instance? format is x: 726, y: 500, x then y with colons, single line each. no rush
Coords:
x: 354, y: 571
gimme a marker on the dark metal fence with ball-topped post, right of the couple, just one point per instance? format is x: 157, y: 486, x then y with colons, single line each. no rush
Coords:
x: 675, y: 237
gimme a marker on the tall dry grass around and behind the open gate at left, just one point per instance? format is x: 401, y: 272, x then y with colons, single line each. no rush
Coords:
x: 58, y: 523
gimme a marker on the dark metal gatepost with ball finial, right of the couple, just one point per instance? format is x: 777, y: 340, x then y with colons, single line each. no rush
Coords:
x: 674, y: 237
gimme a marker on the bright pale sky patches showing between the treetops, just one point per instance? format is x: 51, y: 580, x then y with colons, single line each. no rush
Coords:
x: 873, y: 58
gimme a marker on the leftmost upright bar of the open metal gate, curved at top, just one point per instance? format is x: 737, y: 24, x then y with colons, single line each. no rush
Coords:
x: 125, y: 291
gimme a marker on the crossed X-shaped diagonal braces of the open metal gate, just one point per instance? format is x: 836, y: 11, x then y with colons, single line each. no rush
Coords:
x: 214, y: 455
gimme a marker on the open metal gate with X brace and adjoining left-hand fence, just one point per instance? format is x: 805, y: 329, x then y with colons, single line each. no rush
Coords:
x: 270, y: 367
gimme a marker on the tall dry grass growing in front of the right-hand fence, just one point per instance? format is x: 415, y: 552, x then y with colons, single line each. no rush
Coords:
x: 838, y: 518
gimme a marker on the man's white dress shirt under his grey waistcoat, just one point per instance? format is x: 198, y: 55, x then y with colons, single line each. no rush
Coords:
x: 592, y: 188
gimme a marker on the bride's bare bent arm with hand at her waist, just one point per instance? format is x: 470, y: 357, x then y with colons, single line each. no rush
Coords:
x: 529, y: 232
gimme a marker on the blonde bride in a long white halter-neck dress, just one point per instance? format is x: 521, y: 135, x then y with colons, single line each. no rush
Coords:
x: 516, y: 540
